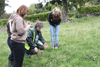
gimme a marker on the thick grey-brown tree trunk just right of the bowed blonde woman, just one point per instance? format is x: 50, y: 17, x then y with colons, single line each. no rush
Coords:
x: 65, y: 11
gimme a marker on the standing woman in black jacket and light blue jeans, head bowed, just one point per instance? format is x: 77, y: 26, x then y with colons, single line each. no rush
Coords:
x: 54, y: 19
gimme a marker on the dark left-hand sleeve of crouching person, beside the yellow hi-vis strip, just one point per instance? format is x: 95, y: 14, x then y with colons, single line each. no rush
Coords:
x: 29, y: 39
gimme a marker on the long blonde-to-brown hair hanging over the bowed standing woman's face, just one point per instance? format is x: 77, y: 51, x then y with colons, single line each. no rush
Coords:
x: 56, y: 13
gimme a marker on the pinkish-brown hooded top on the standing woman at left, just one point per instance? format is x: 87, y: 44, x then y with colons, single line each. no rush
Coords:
x: 18, y: 27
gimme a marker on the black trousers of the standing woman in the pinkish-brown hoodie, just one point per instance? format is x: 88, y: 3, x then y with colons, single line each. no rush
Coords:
x: 18, y: 50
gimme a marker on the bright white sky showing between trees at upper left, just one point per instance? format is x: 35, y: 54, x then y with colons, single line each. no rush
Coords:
x: 16, y: 3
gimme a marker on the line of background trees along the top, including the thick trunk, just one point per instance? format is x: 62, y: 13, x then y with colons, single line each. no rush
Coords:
x: 66, y: 6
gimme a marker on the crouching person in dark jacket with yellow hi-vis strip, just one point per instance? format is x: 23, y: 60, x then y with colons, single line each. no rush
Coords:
x: 34, y: 37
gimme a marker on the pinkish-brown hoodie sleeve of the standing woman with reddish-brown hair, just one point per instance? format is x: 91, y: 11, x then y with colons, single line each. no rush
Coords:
x: 21, y: 30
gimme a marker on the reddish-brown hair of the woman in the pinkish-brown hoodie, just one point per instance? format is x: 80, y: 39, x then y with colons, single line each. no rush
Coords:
x: 22, y: 10
